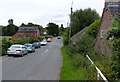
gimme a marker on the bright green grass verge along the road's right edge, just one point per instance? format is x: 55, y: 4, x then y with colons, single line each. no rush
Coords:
x: 68, y: 72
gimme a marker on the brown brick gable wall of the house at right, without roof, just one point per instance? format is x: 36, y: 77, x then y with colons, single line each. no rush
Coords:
x: 106, y: 22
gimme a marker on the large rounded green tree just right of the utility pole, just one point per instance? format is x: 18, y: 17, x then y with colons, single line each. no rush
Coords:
x: 82, y: 18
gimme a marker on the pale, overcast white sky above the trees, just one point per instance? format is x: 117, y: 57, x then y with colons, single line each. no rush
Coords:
x: 43, y: 11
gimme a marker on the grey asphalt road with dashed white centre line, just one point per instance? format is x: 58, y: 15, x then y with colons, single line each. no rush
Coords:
x: 43, y: 64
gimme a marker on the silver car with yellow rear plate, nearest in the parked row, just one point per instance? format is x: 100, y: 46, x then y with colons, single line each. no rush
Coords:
x: 15, y: 50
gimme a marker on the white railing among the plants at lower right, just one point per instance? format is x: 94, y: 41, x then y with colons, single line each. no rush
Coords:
x: 99, y: 73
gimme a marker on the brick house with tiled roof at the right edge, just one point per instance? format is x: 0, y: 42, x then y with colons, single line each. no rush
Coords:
x: 112, y: 7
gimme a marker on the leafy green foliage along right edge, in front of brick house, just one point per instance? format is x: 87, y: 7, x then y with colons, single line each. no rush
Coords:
x: 114, y: 32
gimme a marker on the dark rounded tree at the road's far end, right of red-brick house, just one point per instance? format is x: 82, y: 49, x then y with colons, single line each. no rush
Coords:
x: 53, y: 29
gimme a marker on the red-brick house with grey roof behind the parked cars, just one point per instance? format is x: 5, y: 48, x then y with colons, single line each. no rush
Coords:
x: 27, y: 32
